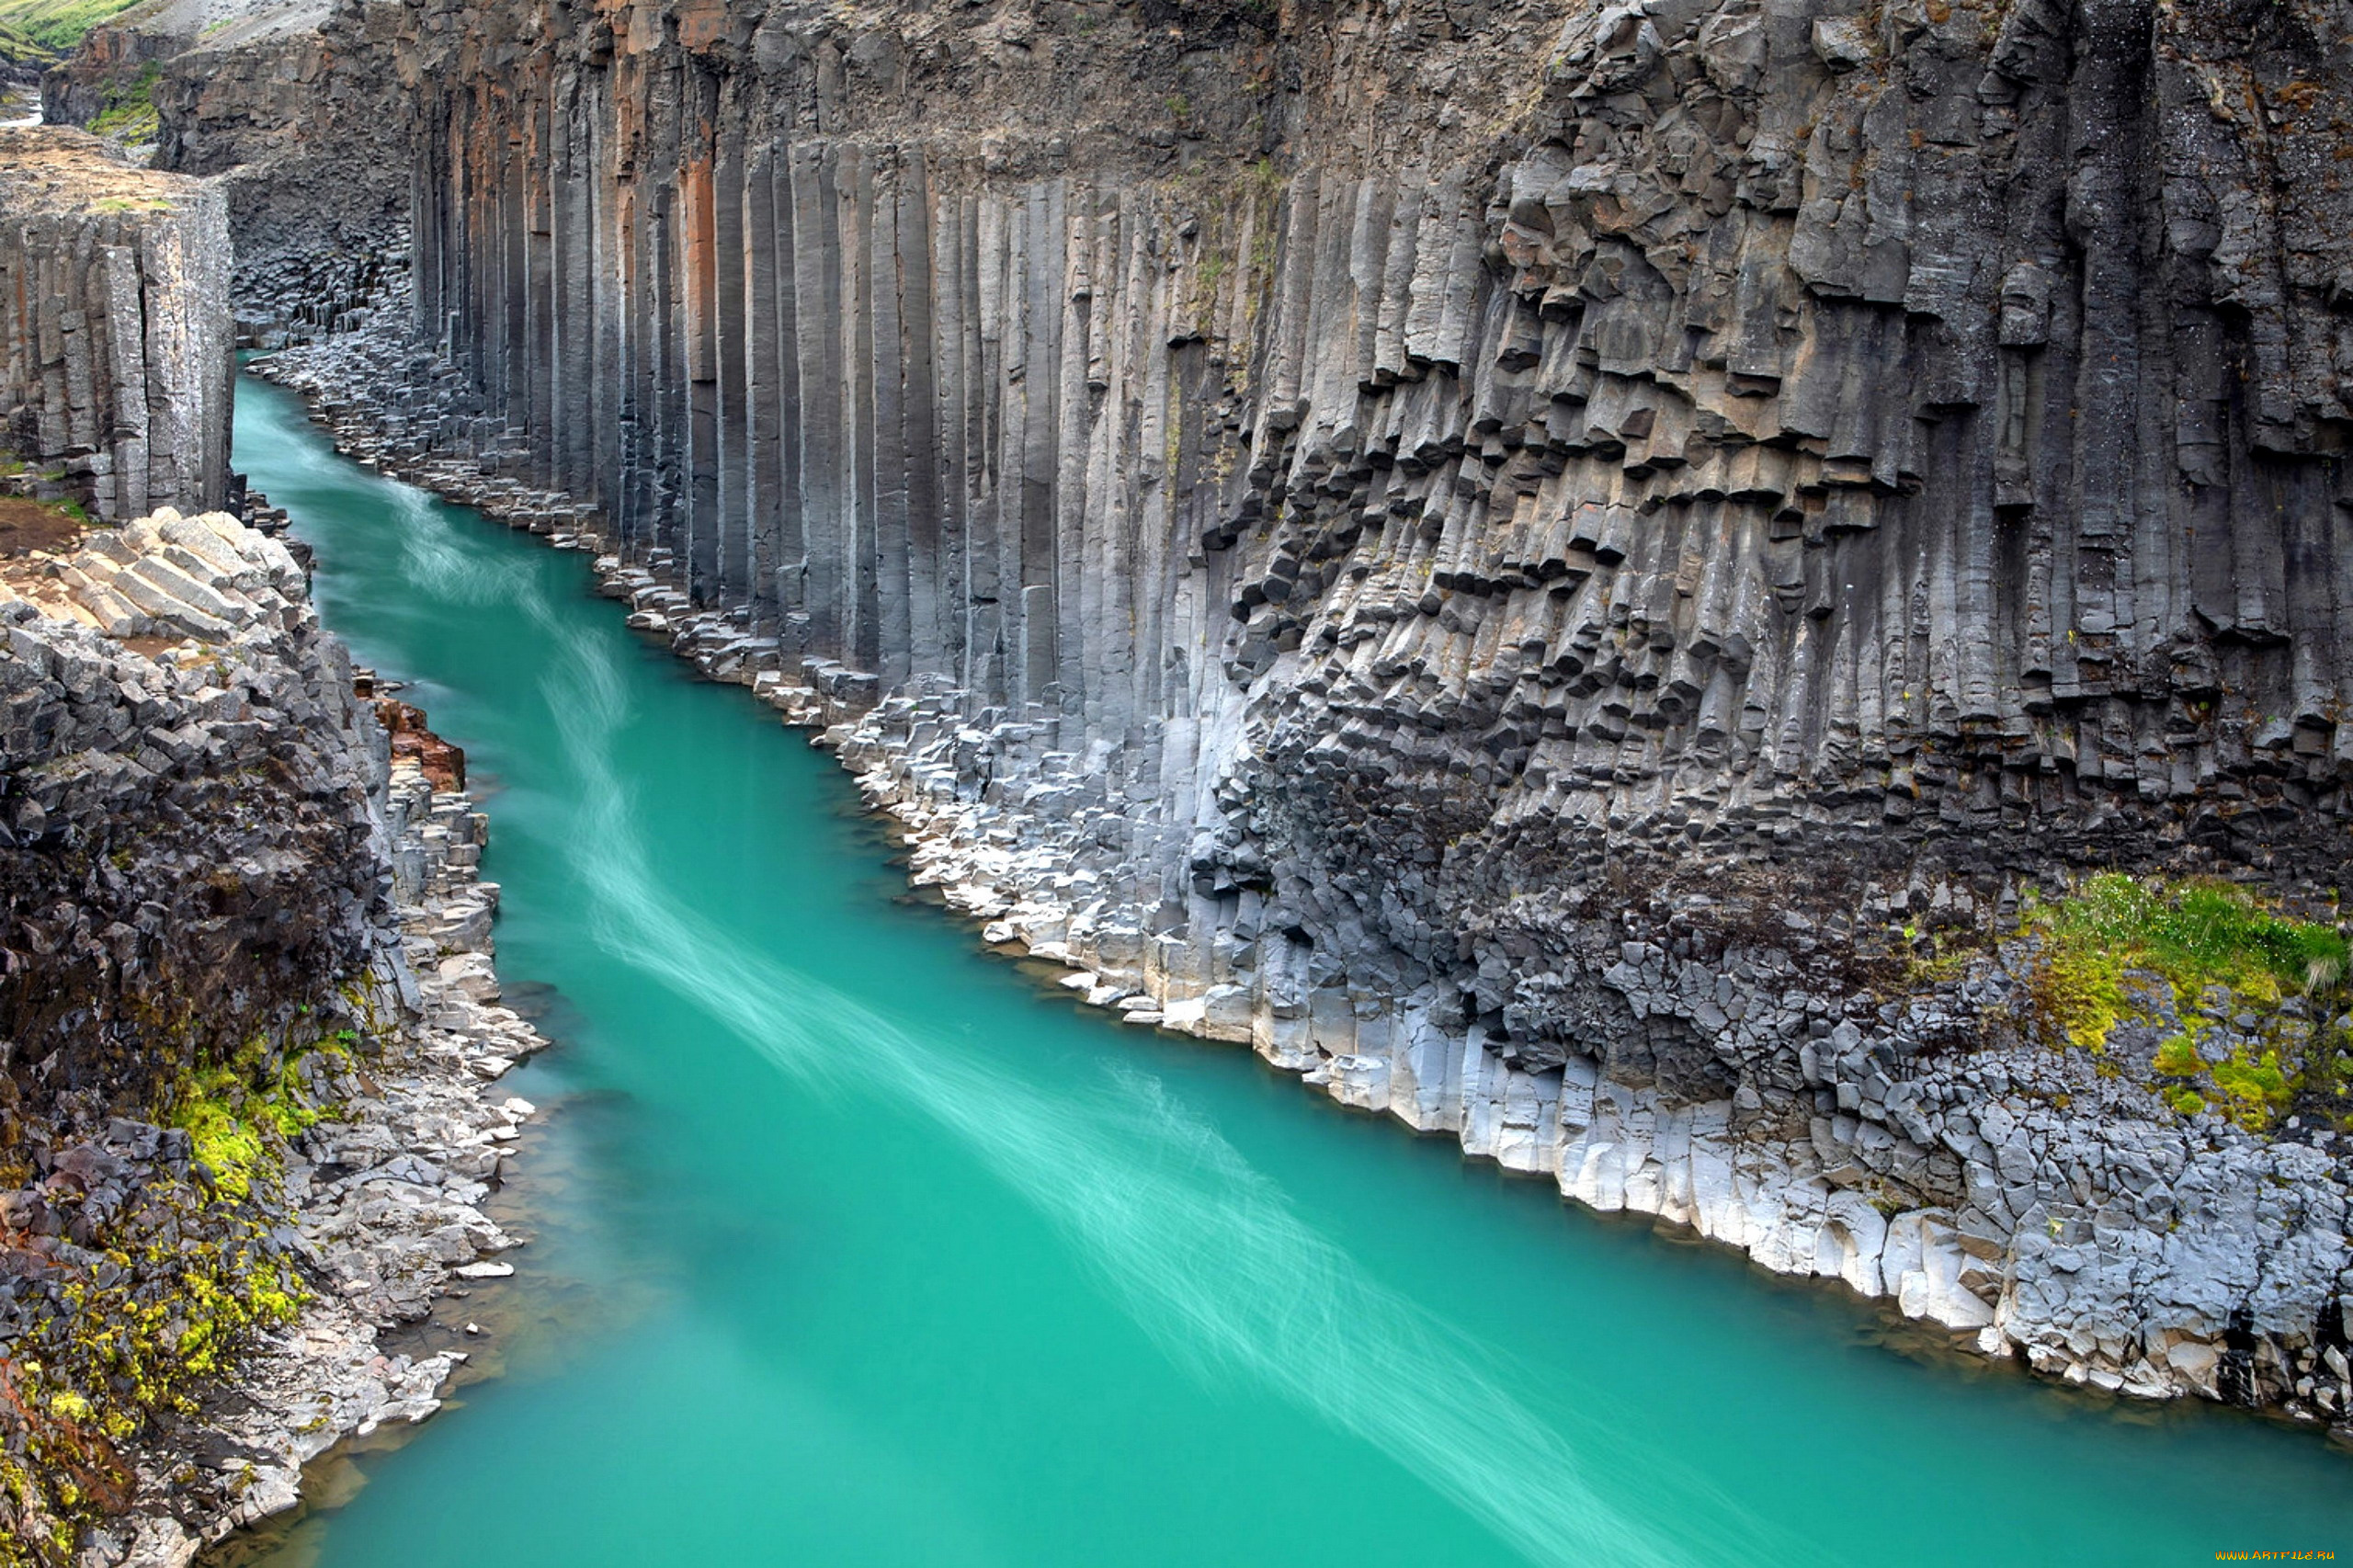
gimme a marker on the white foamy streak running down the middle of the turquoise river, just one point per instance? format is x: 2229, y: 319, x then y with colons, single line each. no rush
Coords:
x: 1204, y: 1249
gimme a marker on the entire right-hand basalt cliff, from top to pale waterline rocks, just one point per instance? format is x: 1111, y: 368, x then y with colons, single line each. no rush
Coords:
x: 1526, y: 564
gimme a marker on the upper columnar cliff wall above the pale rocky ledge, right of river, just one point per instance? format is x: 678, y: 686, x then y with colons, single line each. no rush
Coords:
x: 1757, y: 420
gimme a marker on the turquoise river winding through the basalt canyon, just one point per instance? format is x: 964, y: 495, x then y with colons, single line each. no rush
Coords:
x: 855, y: 1249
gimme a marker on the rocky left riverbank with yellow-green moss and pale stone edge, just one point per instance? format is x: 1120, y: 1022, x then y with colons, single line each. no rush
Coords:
x: 262, y: 1141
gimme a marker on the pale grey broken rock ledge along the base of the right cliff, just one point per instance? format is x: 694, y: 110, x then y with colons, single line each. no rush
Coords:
x: 1921, y: 1134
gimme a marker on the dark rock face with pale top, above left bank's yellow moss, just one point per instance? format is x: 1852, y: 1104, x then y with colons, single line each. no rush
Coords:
x: 189, y: 849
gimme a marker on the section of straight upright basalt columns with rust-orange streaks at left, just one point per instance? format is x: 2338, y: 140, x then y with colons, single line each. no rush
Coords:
x: 891, y: 418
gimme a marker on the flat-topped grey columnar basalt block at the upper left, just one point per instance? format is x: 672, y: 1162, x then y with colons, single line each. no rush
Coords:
x: 114, y: 326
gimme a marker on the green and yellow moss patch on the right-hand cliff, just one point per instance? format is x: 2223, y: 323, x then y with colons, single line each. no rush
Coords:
x: 2253, y: 995
